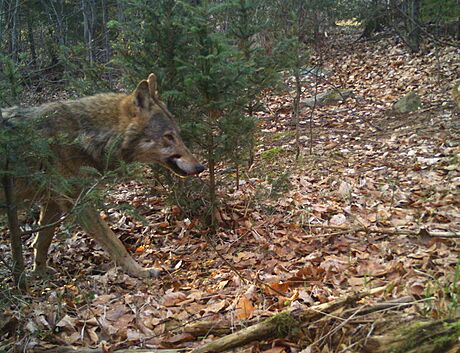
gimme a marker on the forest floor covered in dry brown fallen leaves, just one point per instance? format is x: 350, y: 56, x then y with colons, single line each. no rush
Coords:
x: 363, y: 210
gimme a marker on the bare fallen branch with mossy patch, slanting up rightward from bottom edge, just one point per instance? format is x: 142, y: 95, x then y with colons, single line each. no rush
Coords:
x: 281, y: 325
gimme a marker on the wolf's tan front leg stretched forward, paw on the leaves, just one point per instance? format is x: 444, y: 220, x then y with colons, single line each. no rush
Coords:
x: 100, y: 231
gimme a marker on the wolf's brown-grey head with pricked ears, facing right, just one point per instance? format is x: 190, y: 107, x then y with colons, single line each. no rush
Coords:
x: 153, y: 135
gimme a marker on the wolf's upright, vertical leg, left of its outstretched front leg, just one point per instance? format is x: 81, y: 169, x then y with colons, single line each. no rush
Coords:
x: 49, y: 213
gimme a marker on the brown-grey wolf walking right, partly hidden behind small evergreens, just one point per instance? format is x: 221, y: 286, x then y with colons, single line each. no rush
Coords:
x: 136, y: 127
